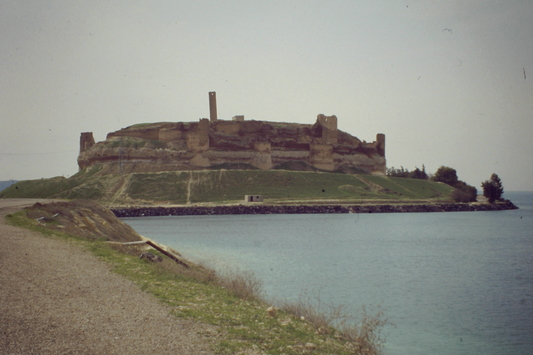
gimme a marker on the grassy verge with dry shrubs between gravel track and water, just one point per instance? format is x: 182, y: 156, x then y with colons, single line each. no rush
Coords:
x: 231, y: 303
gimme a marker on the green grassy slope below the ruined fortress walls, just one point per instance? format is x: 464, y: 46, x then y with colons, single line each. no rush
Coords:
x: 230, y: 186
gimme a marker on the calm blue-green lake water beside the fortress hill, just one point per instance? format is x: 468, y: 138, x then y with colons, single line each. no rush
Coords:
x: 452, y: 283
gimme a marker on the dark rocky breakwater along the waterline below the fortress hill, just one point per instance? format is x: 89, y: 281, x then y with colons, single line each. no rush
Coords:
x: 300, y: 209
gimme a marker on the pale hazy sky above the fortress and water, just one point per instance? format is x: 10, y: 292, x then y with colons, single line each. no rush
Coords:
x: 448, y: 82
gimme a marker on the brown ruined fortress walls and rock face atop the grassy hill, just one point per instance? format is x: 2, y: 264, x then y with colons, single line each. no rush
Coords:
x: 233, y: 144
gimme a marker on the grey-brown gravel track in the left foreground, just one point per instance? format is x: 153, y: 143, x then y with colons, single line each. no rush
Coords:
x: 56, y: 298
